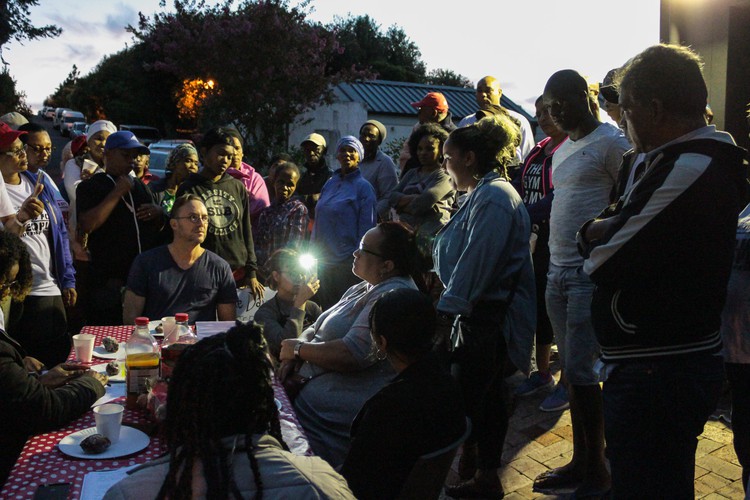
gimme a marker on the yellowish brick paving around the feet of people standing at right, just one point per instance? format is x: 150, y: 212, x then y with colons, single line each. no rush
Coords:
x: 538, y: 441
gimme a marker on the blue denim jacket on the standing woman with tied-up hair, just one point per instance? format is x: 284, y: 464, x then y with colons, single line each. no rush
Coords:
x: 483, y: 247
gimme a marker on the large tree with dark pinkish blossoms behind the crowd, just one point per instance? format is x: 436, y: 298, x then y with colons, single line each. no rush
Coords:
x: 268, y: 64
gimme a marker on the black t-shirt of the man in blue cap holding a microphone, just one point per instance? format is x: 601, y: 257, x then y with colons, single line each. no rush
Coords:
x: 115, y: 244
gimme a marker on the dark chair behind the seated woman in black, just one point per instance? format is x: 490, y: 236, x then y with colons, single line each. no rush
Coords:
x: 426, y: 479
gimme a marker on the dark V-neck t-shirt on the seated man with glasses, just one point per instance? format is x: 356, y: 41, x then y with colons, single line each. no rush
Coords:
x: 169, y: 290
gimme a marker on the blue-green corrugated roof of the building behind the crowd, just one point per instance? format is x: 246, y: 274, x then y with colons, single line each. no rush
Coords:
x: 394, y: 98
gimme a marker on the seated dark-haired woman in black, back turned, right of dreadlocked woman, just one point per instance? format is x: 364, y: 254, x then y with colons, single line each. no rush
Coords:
x: 419, y: 412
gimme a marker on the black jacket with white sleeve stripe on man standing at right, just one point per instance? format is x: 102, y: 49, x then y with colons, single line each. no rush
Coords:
x: 661, y: 270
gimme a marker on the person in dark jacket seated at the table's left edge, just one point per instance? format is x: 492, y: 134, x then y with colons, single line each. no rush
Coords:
x: 30, y: 401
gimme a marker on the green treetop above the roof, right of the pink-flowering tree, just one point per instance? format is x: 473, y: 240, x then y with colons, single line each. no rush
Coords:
x: 386, y: 56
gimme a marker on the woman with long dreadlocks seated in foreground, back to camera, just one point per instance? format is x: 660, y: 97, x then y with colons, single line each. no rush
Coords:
x: 223, y: 432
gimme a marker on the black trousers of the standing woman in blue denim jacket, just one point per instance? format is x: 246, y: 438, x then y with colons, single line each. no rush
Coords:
x: 478, y: 366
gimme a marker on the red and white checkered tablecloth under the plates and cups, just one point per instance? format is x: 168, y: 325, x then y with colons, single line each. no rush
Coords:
x: 41, y: 462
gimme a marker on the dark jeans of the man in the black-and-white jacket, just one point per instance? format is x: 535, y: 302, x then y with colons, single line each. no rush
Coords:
x: 654, y: 412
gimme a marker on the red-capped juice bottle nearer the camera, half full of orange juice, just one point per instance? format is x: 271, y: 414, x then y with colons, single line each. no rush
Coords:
x: 142, y: 361
